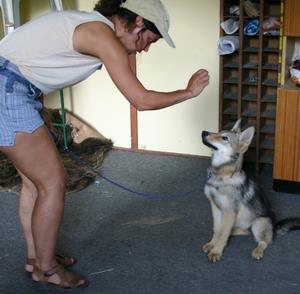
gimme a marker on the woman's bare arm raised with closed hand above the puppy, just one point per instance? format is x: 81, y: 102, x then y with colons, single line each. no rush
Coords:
x: 97, y: 39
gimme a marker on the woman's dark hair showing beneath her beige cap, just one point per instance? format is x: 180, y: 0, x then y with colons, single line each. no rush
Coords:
x: 112, y: 7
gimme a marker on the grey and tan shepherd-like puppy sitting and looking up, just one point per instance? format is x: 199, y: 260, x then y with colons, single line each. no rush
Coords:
x: 237, y: 204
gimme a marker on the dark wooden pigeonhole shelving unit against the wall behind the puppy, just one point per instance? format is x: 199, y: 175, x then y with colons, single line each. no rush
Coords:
x: 249, y: 78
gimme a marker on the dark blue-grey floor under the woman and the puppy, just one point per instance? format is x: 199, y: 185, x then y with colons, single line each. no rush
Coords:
x: 130, y: 243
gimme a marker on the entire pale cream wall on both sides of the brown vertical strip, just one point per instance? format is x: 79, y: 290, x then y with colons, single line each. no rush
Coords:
x: 195, y: 30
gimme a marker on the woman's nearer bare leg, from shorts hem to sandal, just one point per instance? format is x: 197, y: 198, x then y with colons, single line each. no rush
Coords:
x: 36, y: 157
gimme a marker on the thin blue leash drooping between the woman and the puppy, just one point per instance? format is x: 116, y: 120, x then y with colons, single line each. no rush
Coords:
x: 152, y: 196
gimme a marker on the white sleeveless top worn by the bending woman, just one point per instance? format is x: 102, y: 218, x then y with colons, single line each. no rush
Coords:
x: 43, y: 50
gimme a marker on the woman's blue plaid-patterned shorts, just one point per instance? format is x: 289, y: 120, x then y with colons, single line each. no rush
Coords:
x: 19, y: 104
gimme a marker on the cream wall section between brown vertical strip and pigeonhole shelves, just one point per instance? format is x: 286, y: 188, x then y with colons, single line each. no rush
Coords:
x: 195, y: 30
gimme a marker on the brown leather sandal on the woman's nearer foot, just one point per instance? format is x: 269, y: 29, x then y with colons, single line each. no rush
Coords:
x: 68, y: 279
